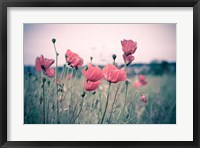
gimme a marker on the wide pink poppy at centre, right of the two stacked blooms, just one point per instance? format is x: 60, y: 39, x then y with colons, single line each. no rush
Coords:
x: 113, y: 74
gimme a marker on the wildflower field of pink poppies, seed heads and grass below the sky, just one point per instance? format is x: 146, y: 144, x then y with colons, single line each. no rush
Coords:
x: 85, y: 93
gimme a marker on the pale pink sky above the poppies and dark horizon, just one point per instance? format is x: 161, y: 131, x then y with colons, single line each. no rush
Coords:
x: 155, y: 41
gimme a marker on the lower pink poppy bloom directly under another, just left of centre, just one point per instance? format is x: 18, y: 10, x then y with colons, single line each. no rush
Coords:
x: 91, y: 86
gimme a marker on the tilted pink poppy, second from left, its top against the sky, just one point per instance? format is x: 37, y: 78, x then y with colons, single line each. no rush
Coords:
x: 73, y: 59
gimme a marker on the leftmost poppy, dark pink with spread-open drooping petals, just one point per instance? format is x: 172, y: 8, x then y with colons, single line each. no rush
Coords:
x: 44, y: 64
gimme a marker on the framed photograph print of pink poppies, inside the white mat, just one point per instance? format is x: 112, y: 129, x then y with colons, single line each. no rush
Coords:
x: 99, y: 73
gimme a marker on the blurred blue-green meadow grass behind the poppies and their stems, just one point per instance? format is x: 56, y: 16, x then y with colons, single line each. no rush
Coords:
x: 75, y: 109
